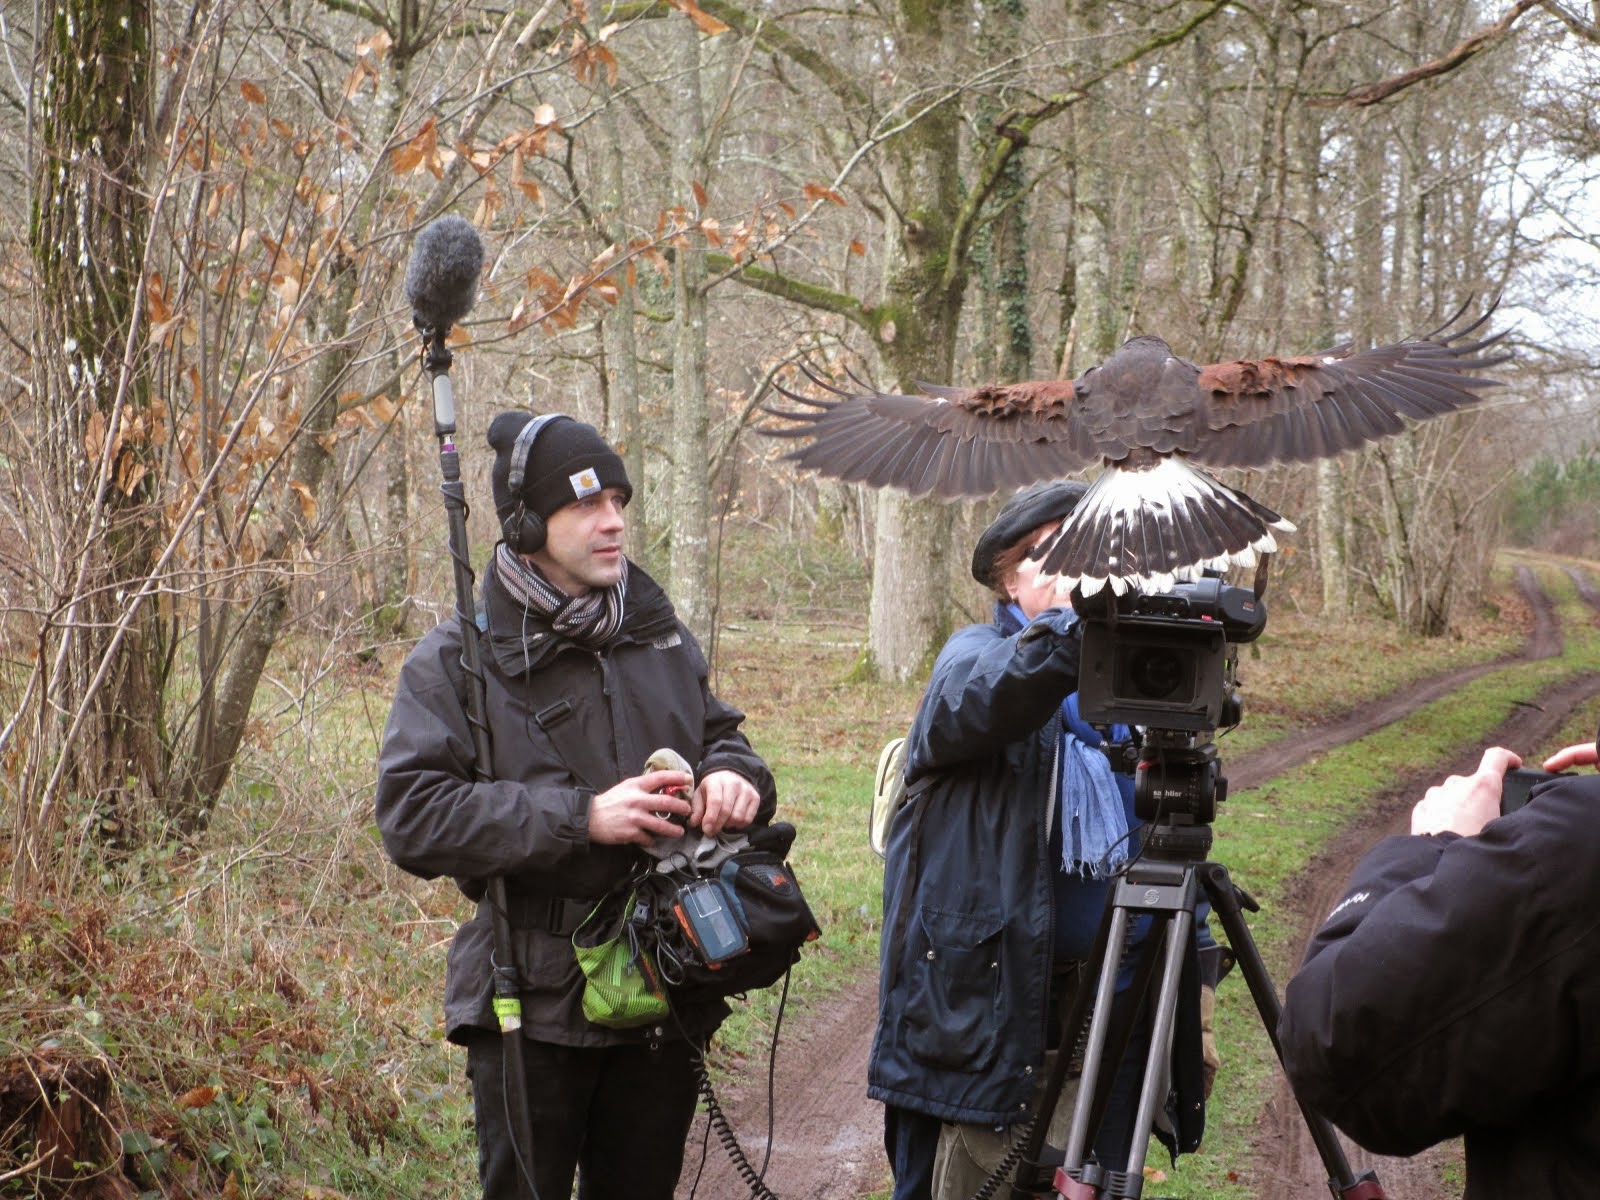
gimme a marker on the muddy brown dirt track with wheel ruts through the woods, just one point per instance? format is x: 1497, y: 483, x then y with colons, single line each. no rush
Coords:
x: 828, y: 1137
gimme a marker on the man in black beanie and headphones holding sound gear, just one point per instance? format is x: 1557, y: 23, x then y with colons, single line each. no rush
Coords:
x: 590, y: 673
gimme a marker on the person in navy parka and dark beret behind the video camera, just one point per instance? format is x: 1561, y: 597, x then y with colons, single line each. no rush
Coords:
x: 996, y: 879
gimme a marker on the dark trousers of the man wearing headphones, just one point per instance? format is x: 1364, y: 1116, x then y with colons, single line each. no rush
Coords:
x: 615, y: 1116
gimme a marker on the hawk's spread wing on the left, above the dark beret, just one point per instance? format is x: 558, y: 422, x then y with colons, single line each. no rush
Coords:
x: 950, y: 442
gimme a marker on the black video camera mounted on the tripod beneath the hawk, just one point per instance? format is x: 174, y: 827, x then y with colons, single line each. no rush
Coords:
x: 1167, y: 662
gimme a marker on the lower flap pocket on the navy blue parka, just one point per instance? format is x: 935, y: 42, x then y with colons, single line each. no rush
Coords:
x: 954, y: 990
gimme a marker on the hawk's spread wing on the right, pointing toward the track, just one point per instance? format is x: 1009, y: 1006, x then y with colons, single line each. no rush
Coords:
x: 1295, y: 410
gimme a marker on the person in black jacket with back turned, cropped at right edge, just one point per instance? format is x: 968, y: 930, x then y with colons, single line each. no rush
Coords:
x: 1457, y: 986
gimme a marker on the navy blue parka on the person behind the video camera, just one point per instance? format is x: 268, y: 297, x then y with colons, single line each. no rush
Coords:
x: 970, y: 878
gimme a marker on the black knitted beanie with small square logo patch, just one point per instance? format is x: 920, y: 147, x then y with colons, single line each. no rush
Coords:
x: 567, y: 462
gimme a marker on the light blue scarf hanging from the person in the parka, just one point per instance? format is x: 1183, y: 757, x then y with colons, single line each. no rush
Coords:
x: 1094, y: 814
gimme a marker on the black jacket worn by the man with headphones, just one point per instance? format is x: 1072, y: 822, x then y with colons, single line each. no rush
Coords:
x: 566, y: 724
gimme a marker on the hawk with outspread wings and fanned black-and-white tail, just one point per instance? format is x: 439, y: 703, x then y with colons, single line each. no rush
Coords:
x: 1153, y: 420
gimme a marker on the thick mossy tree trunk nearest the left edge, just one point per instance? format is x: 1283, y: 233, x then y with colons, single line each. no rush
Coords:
x: 98, y: 729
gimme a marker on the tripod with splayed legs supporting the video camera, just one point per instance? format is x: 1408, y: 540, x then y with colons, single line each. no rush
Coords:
x: 1167, y: 882
